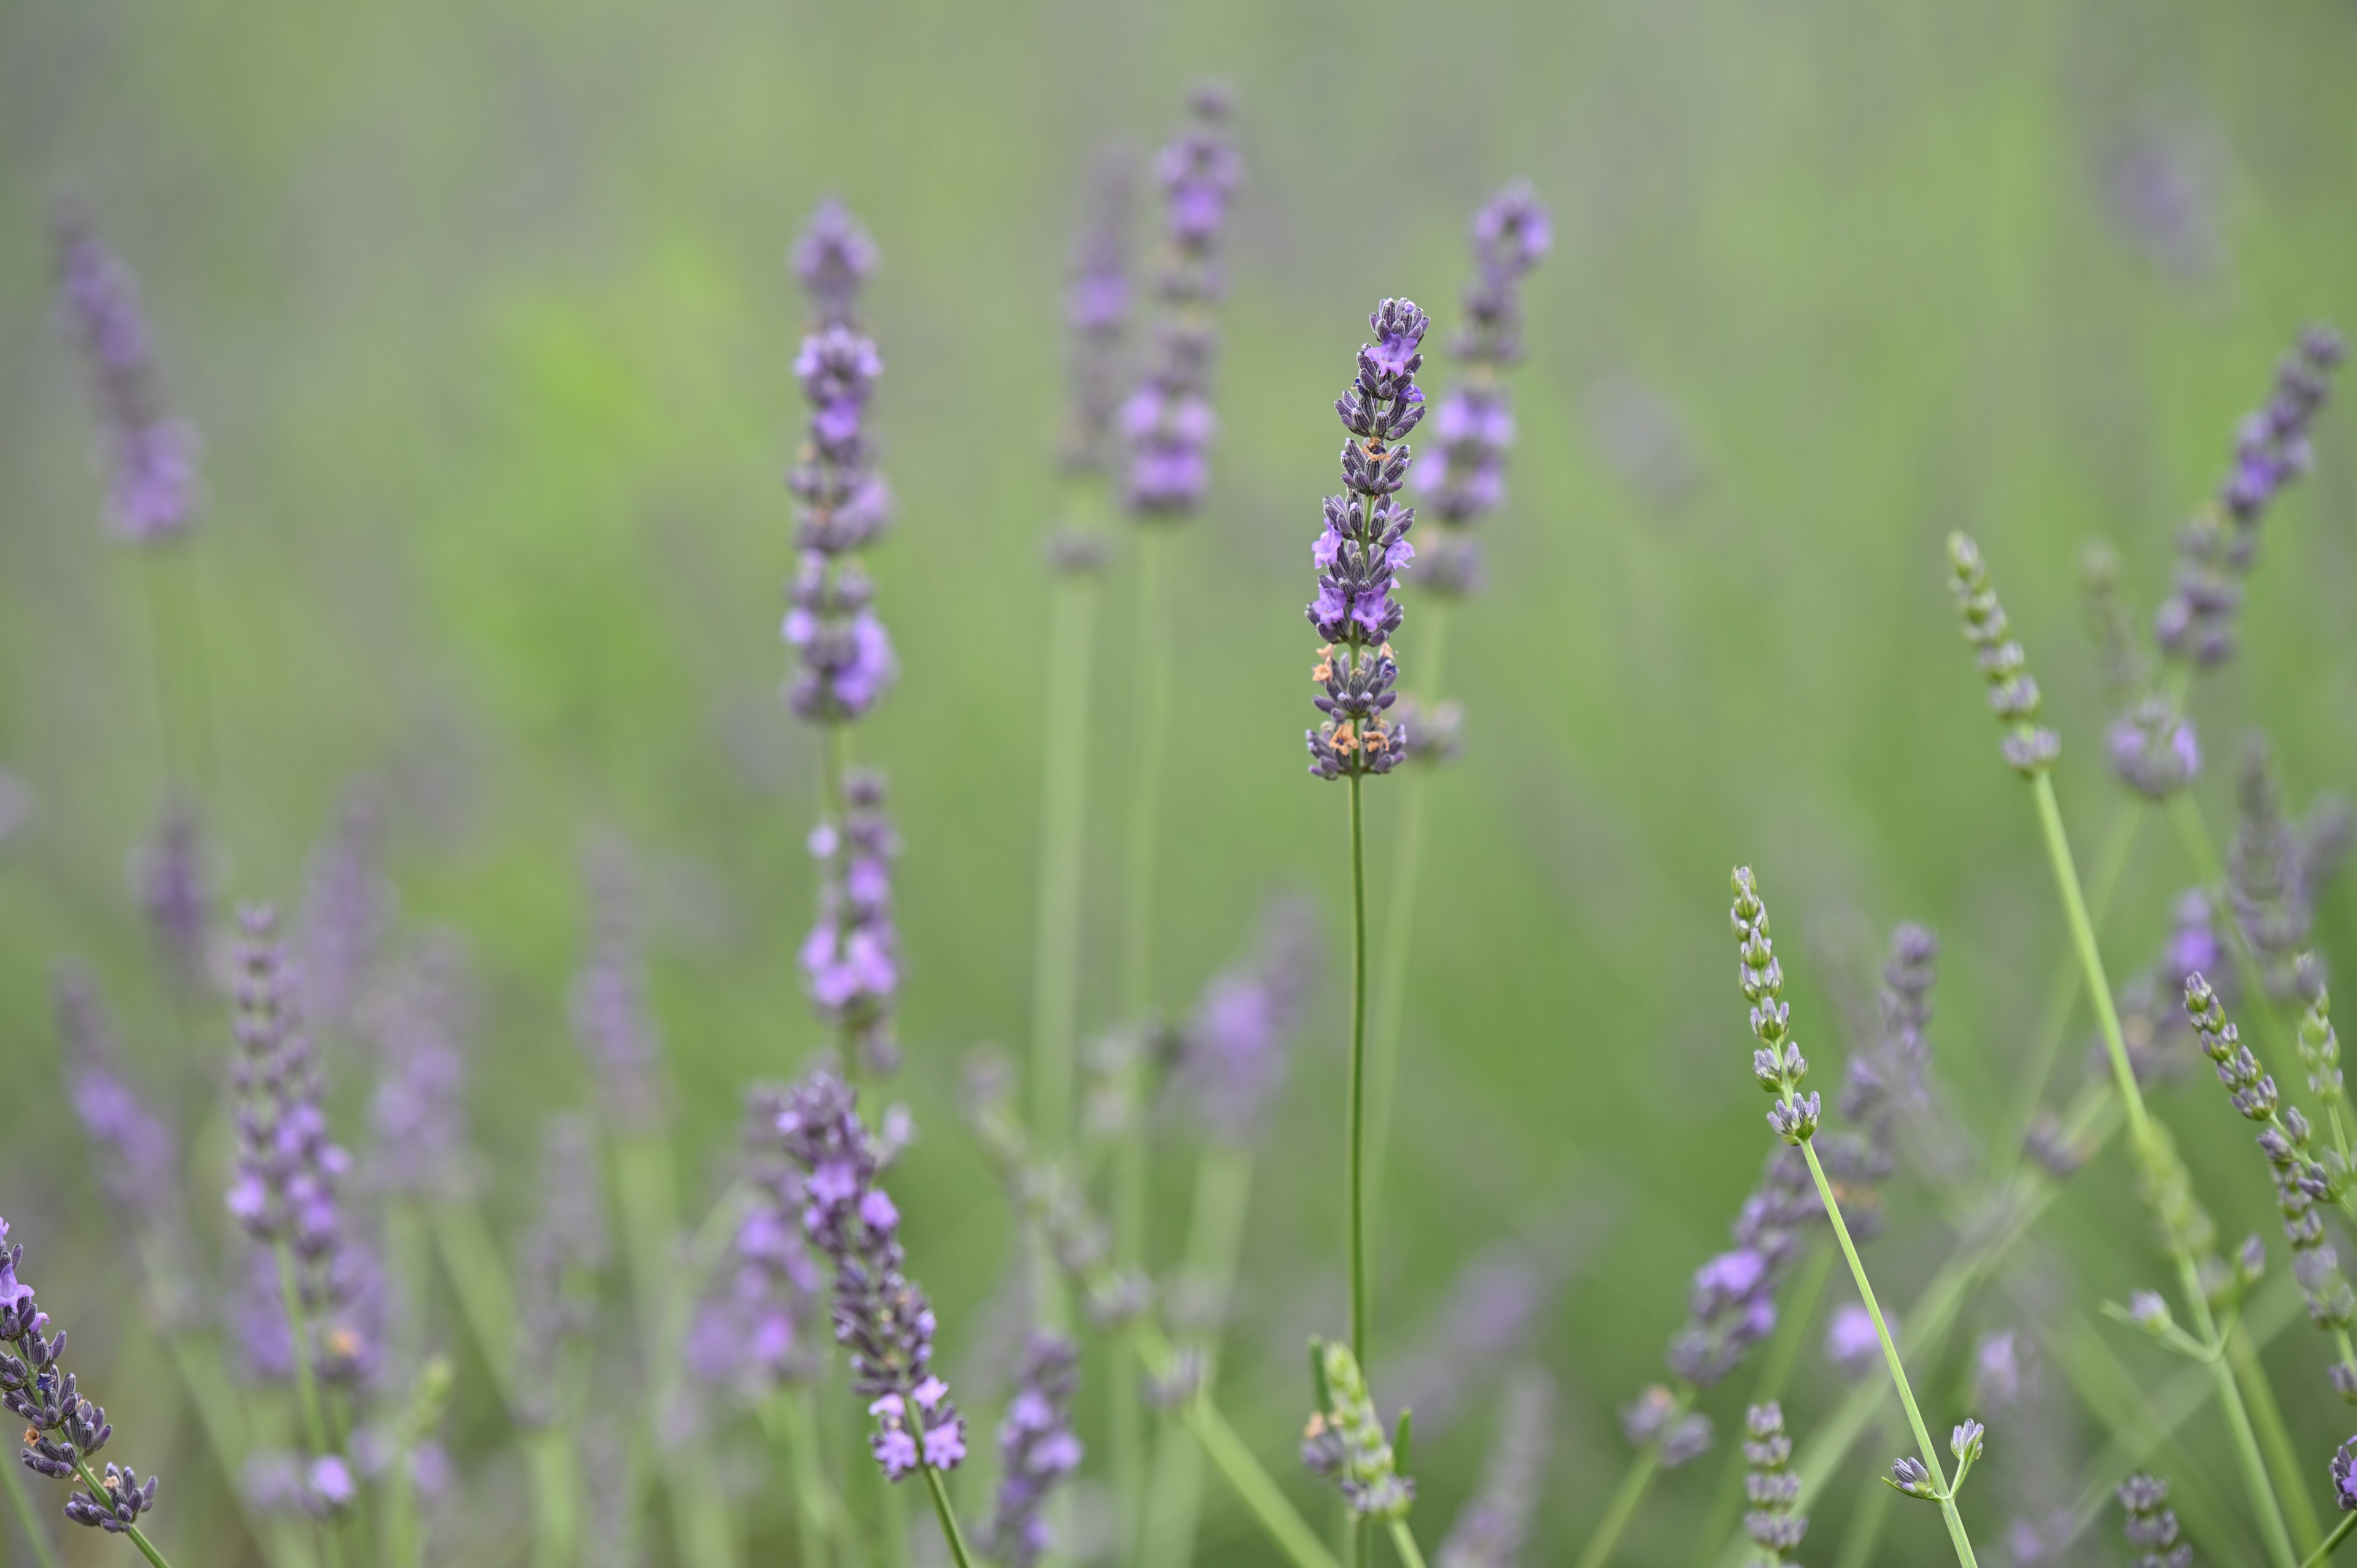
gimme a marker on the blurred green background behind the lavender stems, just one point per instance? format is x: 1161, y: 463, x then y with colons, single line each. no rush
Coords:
x: 484, y: 317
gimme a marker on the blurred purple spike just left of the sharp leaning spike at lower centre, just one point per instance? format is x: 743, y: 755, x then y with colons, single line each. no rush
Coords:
x: 758, y: 1329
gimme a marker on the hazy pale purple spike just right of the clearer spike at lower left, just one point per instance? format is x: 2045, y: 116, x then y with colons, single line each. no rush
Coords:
x: 421, y: 1105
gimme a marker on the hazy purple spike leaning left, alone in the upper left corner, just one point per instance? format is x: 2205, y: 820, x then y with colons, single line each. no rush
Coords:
x: 152, y: 492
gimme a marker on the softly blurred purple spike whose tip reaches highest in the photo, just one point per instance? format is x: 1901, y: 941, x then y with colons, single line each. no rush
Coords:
x: 1168, y: 421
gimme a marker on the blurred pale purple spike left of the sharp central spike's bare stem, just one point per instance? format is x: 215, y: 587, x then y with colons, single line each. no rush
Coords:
x: 1232, y: 1053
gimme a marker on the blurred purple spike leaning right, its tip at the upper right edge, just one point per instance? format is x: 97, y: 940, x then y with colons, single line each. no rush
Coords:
x: 2219, y: 548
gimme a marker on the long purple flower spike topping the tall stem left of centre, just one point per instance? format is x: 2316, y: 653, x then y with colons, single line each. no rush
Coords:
x: 843, y: 503
